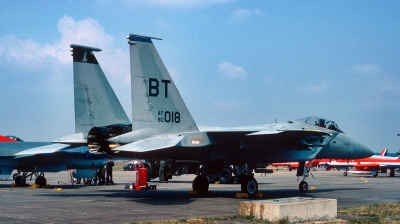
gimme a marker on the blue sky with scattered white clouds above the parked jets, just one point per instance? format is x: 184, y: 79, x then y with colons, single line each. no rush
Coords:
x: 234, y: 62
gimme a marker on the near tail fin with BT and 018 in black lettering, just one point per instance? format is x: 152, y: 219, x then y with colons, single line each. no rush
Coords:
x: 156, y: 102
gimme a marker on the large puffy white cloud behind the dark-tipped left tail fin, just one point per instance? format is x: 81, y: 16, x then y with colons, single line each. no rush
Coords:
x: 53, y: 58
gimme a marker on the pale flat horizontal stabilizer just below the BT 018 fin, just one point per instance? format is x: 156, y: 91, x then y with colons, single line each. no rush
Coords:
x: 153, y: 143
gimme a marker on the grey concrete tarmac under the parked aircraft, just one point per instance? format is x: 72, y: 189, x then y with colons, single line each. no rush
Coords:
x: 171, y: 201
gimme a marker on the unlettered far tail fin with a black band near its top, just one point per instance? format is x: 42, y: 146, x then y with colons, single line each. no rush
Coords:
x: 96, y: 104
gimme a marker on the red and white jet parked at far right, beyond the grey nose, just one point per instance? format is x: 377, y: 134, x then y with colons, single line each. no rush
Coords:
x: 370, y: 165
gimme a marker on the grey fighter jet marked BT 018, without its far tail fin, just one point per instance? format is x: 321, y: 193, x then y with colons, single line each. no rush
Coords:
x: 162, y: 128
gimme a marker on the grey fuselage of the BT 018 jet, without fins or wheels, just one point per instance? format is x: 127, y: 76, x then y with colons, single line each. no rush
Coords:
x: 280, y: 142
